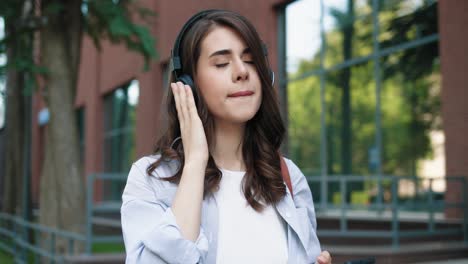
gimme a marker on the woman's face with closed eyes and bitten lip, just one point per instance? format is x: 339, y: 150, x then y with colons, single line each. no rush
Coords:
x: 227, y: 77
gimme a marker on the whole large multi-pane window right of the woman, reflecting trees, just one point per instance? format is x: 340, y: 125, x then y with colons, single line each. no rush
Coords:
x: 380, y: 97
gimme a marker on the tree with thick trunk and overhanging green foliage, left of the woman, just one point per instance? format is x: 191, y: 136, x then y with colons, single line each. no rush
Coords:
x: 61, y: 25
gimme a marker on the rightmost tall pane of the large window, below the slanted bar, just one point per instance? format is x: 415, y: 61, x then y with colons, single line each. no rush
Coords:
x: 411, y: 118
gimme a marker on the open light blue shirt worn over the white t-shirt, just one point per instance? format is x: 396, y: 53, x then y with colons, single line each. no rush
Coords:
x: 151, y: 234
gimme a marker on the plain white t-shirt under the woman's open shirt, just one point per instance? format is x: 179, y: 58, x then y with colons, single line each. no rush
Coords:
x: 244, y: 235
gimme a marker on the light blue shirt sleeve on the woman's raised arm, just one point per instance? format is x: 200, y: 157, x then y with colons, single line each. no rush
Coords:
x: 149, y: 227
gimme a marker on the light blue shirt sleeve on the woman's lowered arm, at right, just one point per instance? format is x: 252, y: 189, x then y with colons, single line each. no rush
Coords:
x: 305, y: 207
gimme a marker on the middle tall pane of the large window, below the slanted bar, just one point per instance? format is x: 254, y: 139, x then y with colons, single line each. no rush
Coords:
x: 350, y: 120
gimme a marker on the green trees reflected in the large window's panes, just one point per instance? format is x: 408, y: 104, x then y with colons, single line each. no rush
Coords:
x: 410, y: 95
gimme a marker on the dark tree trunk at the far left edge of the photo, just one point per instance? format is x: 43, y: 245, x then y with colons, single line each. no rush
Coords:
x: 19, y: 80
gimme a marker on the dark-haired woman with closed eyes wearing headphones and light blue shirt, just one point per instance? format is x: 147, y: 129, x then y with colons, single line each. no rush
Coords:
x: 214, y: 192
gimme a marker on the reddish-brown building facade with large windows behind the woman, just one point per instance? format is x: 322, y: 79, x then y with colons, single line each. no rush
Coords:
x: 363, y: 84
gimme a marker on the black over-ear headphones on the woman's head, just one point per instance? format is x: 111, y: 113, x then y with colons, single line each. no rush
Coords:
x: 176, y: 62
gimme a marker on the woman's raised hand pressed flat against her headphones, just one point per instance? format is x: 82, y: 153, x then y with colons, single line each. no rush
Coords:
x: 191, y: 127
